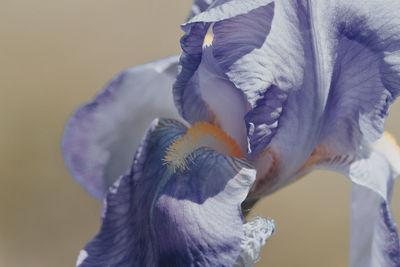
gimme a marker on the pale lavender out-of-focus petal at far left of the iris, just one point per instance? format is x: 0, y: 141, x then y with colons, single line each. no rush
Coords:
x: 101, y: 136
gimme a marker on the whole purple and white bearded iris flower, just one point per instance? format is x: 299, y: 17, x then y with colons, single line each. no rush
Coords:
x: 264, y: 92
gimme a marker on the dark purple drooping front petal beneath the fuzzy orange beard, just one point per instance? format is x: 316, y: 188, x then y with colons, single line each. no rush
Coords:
x: 158, y: 216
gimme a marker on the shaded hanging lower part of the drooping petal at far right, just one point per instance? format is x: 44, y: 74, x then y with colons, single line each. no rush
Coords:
x: 374, y: 236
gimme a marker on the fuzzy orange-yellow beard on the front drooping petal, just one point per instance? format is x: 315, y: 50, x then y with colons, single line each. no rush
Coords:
x: 201, y: 134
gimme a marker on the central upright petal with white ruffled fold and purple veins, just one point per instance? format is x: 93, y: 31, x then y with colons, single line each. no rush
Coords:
x: 285, y: 84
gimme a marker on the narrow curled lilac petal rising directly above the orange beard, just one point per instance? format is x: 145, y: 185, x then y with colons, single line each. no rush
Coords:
x: 202, y: 92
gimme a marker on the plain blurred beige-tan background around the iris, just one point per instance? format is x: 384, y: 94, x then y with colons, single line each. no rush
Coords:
x: 55, y: 55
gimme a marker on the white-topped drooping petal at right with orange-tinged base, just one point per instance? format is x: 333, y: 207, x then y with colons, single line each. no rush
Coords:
x: 374, y: 236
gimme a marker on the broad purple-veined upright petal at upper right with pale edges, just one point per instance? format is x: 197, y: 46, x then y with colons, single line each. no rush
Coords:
x: 366, y: 77
